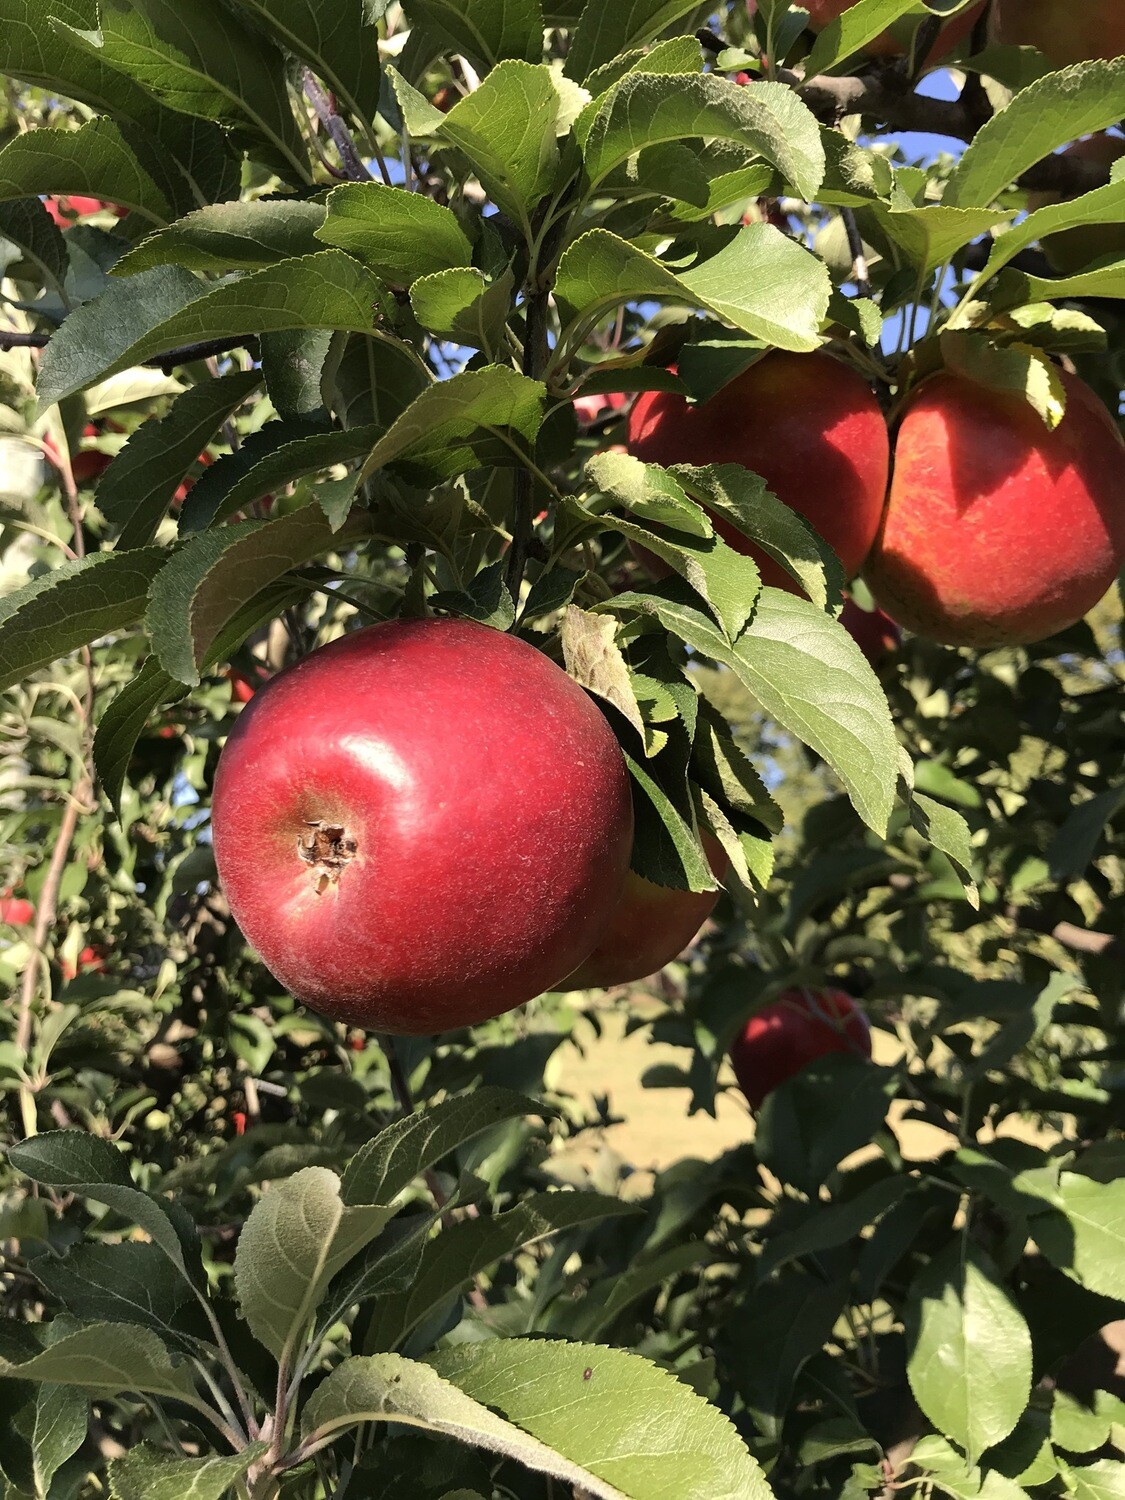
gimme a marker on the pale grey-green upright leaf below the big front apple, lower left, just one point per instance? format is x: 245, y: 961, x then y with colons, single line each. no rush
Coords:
x: 298, y: 1237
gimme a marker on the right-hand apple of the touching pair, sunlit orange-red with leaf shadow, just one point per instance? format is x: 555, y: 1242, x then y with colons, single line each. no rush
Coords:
x: 997, y: 530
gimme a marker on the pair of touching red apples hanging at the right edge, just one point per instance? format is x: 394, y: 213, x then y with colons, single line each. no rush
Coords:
x: 994, y: 529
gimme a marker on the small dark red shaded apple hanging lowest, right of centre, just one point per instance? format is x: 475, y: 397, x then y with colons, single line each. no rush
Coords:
x: 797, y: 1030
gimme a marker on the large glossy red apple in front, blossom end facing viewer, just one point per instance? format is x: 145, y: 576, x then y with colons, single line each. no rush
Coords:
x: 422, y: 826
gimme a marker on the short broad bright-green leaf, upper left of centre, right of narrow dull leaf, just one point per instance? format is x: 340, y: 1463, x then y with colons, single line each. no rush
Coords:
x: 398, y: 235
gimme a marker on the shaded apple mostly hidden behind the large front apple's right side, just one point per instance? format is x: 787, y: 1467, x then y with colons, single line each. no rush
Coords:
x: 650, y: 926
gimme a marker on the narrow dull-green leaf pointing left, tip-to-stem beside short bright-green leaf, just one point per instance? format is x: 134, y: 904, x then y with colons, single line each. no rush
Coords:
x: 230, y: 236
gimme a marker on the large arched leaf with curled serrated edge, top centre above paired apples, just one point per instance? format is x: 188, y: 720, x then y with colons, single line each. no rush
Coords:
x: 646, y: 109
